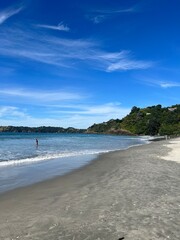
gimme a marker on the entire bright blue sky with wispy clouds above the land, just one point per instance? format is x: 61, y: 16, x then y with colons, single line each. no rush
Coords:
x: 75, y: 63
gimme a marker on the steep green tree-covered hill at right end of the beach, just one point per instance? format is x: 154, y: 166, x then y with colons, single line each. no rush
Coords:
x: 153, y: 120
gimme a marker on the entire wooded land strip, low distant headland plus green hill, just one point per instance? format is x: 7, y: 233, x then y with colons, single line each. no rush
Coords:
x: 154, y: 120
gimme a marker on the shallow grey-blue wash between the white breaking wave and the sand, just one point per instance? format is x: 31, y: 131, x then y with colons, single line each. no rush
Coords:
x: 46, y: 170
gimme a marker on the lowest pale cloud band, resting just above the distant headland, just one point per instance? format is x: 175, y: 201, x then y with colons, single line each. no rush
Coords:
x: 88, y: 115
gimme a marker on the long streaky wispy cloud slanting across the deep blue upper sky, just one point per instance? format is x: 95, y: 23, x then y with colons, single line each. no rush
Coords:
x: 62, y: 52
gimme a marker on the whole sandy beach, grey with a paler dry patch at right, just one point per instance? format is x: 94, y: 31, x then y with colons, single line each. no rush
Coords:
x: 129, y: 194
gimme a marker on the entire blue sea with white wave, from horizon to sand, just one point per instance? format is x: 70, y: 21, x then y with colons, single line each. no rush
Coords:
x: 23, y: 163
